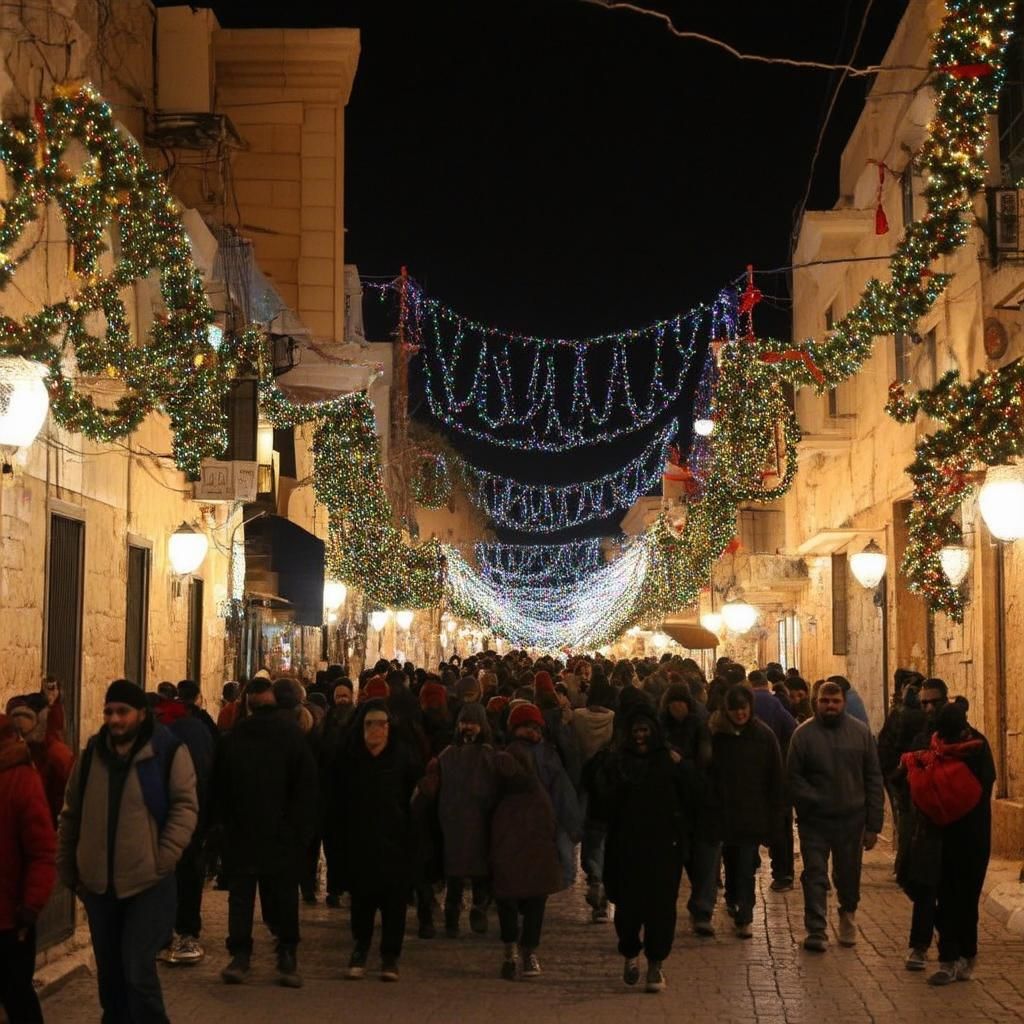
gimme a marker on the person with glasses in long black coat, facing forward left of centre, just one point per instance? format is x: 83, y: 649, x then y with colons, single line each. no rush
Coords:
x: 376, y: 778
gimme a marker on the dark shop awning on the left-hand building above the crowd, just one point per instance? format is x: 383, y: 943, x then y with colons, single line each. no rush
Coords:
x: 297, y: 560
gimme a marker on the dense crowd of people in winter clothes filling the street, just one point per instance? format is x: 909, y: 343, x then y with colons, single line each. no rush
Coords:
x: 492, y: 783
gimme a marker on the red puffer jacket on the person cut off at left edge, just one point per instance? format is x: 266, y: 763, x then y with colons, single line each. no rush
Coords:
x: 27, y: 838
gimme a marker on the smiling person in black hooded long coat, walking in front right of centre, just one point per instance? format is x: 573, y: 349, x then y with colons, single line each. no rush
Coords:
x: 646, y: 793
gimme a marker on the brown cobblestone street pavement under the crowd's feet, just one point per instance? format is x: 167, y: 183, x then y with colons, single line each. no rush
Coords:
x: 767, y: 980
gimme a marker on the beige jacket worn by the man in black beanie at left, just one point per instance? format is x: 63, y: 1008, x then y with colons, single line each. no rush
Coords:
x: 144, y: 852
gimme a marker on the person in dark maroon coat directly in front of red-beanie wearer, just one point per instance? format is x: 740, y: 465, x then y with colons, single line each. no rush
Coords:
x: 525, y: 864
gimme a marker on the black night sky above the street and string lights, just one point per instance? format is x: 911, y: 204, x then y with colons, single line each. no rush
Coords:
x: 558, y: 168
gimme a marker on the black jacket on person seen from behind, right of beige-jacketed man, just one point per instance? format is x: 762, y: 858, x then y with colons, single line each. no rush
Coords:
x: 266, y: 783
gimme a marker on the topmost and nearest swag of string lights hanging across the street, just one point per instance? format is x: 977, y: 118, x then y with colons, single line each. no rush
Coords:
x: 506, y: 389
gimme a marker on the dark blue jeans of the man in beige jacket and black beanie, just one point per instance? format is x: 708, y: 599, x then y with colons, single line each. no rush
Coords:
x: 127, y: 934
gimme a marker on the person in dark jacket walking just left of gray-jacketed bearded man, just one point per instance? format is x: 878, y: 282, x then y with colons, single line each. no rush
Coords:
x: 748, y: 779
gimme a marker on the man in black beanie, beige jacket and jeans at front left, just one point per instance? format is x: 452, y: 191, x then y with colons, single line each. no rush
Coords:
x: 130, y: 814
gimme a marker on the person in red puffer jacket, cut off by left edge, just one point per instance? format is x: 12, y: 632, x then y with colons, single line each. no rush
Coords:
x: 28, y: 844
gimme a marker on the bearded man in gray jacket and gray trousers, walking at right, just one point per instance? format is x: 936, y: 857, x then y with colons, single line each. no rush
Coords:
x: 835, y: 784
